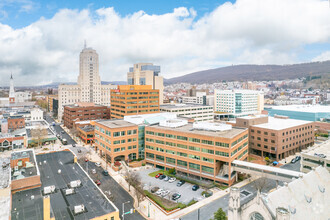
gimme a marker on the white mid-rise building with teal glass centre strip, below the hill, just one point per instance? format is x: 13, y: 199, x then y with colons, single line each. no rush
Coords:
x: 237, y: 103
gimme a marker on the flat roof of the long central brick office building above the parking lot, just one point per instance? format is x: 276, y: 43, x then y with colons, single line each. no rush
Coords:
x: 188, y: 128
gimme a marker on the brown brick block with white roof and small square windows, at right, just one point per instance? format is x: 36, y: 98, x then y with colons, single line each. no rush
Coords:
x: 277, y: 137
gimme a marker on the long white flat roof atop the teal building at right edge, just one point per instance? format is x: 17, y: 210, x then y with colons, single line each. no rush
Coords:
x: 304, y: 108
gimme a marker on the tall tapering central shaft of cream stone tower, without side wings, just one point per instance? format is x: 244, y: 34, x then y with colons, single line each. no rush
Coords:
x: 89, y: 78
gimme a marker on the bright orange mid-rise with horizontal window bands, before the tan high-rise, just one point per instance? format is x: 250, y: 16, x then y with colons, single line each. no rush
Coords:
x: 134, y: 100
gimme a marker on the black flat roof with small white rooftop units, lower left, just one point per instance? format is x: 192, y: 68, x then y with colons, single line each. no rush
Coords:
x: 95, y: 202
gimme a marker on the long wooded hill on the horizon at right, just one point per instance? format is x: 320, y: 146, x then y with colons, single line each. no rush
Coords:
x: 255, y: 72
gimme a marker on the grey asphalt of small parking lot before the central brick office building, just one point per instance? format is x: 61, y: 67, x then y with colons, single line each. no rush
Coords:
x: 187, y: 194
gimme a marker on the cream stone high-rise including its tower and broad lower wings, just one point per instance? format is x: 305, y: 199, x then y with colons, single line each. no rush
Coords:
x: 89, y: 88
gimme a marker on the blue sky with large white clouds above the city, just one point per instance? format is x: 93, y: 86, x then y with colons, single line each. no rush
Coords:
x: 40, y: 40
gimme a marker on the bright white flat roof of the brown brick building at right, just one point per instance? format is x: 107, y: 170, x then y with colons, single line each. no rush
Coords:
x: 280, y: 124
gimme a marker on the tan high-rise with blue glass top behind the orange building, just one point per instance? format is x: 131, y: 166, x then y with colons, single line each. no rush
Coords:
x: 146, y: 74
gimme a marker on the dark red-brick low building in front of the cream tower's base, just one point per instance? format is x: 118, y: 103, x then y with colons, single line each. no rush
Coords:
x: 83, y: 111
